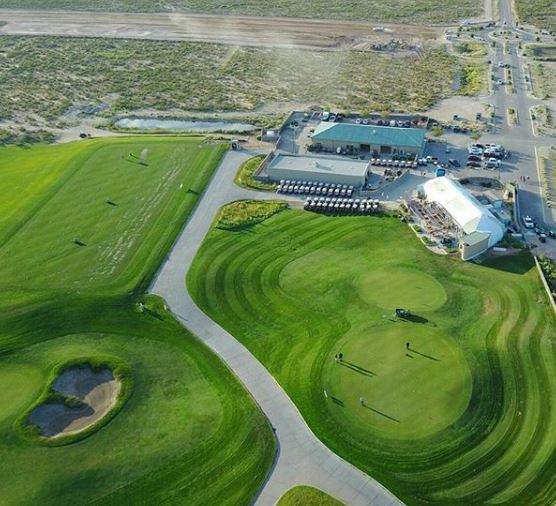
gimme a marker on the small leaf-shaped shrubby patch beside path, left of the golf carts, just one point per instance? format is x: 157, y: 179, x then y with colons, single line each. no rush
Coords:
x: 245, y: 213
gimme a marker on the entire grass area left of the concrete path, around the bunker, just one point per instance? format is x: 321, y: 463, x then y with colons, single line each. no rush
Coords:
x: 83, y: 228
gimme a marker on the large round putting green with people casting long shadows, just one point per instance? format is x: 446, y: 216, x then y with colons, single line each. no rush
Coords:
x: 407, y: 394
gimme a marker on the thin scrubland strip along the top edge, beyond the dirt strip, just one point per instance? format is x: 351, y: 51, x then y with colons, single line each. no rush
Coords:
x: 385, y: 10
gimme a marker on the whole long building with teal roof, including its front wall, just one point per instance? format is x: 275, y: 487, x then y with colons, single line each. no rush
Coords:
x: 370, y: 138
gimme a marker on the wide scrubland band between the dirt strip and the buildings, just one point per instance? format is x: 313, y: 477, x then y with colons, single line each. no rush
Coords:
x: 45, y: 77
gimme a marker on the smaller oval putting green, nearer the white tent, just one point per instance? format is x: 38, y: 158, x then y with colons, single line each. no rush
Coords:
x: 391, y: 288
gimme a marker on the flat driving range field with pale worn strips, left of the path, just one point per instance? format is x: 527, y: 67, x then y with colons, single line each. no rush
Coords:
x: 109, y: 216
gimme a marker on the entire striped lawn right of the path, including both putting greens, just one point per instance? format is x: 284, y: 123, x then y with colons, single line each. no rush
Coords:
x: 454, y: 405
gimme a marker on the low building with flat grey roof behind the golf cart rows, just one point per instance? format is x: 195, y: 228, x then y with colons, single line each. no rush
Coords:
x: 319, y: 169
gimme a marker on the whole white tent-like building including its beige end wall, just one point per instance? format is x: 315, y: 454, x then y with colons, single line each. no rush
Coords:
x: 478, y: 228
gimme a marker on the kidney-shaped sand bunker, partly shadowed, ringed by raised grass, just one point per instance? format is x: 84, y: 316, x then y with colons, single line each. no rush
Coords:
x: 98, y: 392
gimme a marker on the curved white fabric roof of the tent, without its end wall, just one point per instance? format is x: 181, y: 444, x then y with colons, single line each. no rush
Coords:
x: 470, y: 215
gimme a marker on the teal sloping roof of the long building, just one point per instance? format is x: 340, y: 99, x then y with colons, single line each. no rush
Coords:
x: 369, y: 134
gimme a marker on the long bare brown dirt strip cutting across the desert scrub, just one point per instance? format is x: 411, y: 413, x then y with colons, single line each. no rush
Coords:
x: 235, y: 30
